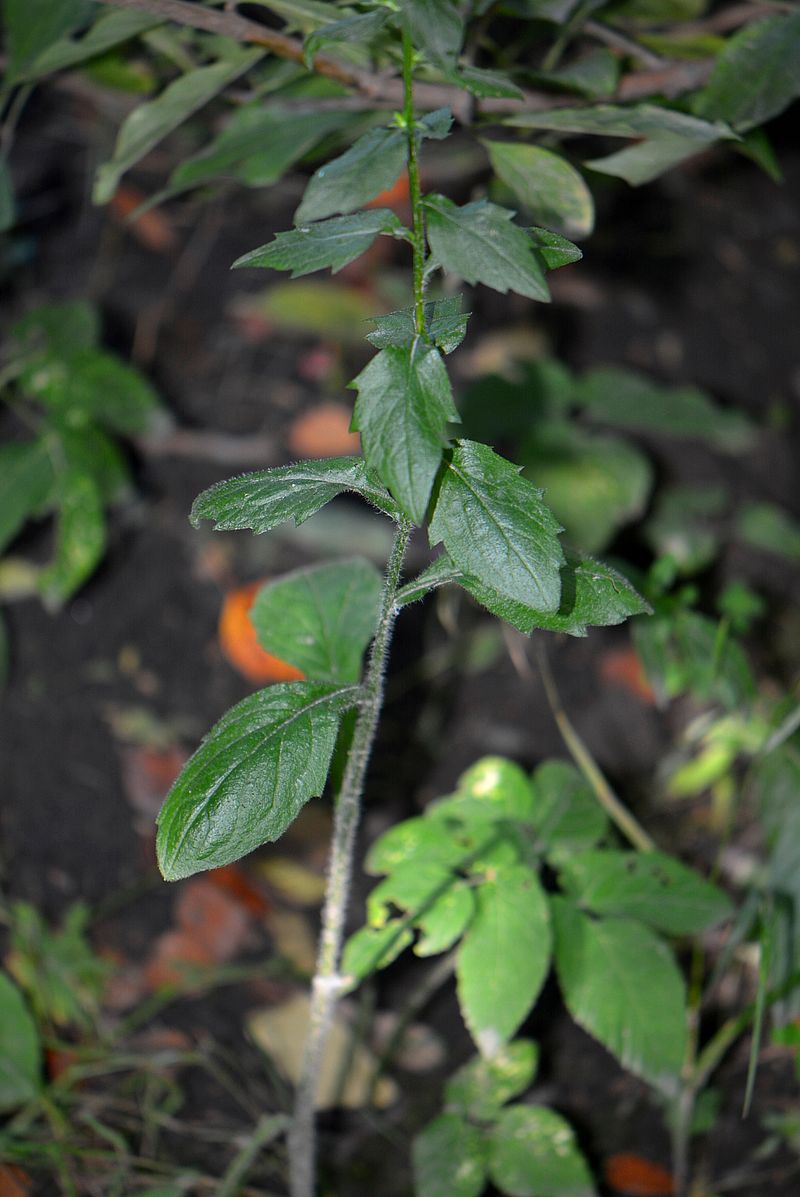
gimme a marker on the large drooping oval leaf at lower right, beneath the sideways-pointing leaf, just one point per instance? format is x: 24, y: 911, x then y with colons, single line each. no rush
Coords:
x: 621, y: 983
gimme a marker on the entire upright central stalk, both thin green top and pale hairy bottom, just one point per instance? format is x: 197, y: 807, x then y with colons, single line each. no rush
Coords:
x: 328, y: 982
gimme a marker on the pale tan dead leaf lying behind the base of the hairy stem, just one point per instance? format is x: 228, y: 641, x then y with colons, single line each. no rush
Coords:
x: 281, y: 1032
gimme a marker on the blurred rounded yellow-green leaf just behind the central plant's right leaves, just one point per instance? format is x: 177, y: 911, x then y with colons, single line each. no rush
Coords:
x: 593, y: 484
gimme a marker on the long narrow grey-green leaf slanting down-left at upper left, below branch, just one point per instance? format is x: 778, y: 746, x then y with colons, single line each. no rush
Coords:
x: 149, y: 124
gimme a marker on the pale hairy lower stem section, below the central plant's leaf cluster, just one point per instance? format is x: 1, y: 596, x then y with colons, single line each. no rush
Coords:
x: 328, y: 983
